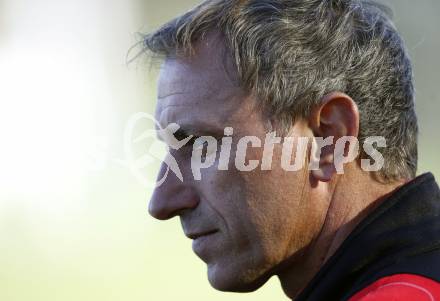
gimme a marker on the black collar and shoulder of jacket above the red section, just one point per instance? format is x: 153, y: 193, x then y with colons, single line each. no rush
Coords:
x: 401, y: 235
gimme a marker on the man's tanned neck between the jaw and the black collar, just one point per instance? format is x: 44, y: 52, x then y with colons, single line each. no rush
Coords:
x: 352, y: 198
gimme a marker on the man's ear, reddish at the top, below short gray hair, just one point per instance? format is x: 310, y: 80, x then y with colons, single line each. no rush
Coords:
x: 335, y: 116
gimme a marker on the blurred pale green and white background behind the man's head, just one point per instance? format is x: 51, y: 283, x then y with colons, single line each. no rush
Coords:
x: 73, y: 219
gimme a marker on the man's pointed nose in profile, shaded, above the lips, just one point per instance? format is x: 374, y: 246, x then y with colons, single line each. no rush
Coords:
x: 172, y: 197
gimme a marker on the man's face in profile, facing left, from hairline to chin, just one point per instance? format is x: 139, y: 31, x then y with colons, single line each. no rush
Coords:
x: 244, y: 224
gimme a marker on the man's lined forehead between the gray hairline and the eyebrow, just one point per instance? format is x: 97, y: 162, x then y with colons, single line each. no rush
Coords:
x: 197, y: 92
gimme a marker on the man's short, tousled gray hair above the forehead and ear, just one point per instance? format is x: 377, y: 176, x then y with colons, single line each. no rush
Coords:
x: 290, y: 53
